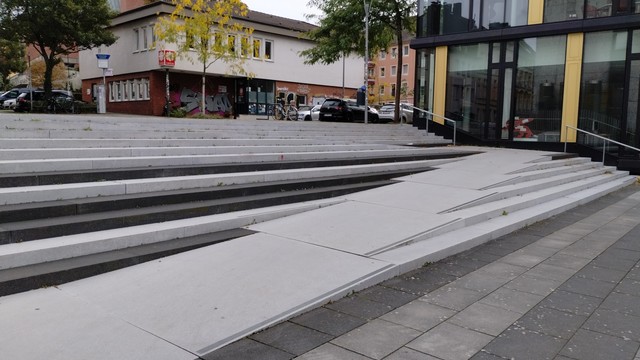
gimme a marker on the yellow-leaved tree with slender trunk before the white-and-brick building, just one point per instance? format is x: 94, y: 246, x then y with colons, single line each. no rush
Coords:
x: 207, y: 31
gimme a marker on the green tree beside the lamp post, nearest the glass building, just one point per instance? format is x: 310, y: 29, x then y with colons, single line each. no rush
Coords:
x: 341, y: 31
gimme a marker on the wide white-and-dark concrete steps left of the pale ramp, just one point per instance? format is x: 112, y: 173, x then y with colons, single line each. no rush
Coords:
x: 81, y: 196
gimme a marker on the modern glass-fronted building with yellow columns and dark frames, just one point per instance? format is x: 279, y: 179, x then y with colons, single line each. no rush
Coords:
x: 530, y: 70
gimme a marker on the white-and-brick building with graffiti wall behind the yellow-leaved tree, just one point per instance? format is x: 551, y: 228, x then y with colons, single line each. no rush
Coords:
x: 135, y: 81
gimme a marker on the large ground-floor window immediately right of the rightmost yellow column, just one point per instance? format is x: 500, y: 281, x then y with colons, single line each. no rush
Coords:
x: 603, y: 77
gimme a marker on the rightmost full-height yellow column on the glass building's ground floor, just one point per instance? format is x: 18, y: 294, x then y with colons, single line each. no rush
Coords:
x: 572, y: 79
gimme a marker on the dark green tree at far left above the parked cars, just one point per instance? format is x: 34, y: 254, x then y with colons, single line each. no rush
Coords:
x: 57, y: 28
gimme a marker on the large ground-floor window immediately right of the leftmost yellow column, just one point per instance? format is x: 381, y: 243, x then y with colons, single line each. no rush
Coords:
x: 467, y: 86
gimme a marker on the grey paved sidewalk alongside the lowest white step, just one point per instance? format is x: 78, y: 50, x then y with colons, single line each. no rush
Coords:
x: 564, y: 288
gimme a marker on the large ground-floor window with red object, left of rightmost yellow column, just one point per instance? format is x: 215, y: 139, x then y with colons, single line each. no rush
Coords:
x: 539, y: 89
